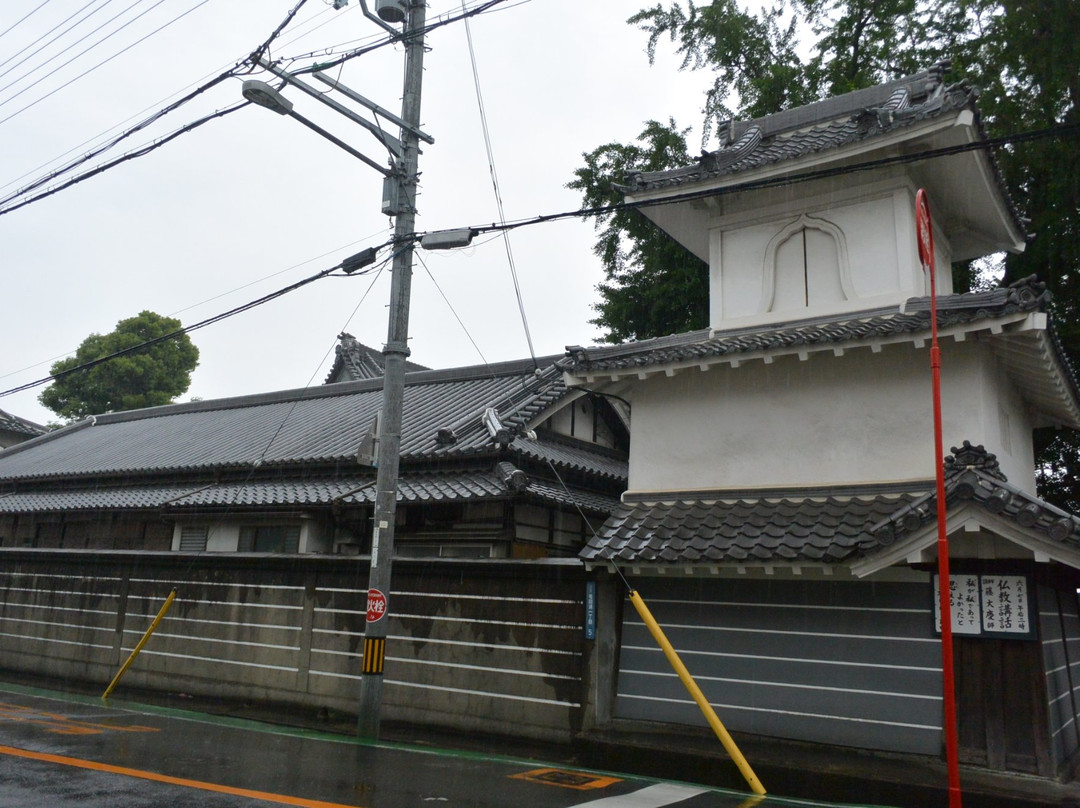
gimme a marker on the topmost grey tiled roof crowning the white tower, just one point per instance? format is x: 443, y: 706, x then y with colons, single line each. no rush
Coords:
x: 816, y: 128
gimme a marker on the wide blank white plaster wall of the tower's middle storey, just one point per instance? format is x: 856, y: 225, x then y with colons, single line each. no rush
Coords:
x: 858, y: 419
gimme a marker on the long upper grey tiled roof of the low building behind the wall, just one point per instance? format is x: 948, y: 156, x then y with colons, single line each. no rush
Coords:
x: 317, y: 426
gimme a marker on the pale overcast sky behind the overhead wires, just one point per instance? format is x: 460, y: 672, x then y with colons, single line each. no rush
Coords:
x: 252, y: 203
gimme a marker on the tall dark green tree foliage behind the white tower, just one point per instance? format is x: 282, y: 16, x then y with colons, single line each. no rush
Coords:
x: 1022, y: 55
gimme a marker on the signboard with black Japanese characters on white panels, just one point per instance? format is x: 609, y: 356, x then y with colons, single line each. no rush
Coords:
x: 990, y: 607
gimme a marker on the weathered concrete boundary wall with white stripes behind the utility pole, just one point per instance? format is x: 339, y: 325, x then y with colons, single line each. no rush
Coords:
x: 472, y: 645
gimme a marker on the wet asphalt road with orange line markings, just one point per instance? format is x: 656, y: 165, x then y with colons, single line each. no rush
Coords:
x: 60, y: 750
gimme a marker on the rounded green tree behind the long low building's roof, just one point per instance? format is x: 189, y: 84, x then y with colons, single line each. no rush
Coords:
x: 146, y: 378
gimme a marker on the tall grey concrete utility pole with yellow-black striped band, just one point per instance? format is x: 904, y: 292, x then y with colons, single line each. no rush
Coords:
x: 399, y: 200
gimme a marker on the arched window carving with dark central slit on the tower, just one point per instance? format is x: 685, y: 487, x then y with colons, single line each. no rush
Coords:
x: 806, y: 267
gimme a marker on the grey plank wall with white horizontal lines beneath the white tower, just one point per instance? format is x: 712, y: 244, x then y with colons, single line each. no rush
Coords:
x: 842, y: 663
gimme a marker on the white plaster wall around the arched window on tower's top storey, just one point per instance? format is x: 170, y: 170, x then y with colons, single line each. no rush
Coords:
x: 879, y: 240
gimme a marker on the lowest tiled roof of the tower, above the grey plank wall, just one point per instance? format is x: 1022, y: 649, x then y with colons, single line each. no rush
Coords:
x: 814, y: 527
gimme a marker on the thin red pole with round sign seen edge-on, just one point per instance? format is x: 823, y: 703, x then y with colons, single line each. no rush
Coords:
x: 926, y: 239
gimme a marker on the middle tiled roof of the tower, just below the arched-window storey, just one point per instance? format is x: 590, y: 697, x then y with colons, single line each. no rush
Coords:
x: 913, y: 318
